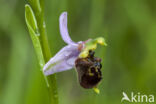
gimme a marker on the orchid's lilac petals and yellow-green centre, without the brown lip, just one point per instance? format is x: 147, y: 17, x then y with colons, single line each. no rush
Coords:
x: 66, y: 57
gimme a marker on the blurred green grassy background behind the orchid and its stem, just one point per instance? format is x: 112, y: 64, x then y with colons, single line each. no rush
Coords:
x: 129, y: 60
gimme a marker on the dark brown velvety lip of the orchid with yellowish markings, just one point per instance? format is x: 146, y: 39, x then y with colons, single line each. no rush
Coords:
x: 89, y: 70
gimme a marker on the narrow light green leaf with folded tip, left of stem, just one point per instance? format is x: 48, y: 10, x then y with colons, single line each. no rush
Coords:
x: 34, y: 33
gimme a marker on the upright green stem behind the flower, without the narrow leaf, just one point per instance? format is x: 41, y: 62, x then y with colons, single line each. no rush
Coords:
x: 38, y: 8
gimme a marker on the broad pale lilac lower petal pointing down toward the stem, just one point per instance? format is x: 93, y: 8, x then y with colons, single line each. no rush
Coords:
x: 62, y: 61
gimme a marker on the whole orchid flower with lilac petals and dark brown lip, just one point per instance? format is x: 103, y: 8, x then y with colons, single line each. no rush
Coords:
x: 76, y: 54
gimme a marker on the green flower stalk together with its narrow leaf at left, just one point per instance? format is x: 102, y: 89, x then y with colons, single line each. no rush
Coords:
x: 34, y: 15
